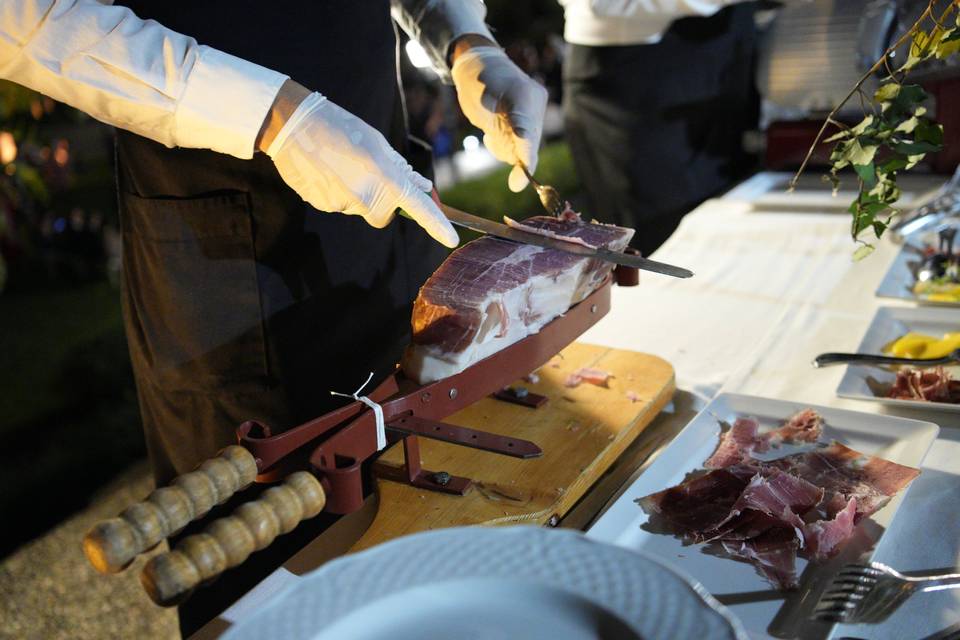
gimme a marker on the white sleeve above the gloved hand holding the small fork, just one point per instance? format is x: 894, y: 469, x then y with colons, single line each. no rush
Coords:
x: 436, y: 24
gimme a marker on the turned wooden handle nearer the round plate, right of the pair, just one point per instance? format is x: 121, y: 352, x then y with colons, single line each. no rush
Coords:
x: 169, y: 578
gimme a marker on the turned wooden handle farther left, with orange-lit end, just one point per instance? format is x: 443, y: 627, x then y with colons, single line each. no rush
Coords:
x: 113, y: 544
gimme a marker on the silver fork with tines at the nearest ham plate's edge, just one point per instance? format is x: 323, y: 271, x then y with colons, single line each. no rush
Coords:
x: 867, y: 593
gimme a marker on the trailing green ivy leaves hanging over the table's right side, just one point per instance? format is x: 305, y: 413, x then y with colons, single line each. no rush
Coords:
x: 897, y: 133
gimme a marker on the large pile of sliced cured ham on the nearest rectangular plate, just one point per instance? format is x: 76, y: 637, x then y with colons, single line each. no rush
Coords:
x: 766, y: 512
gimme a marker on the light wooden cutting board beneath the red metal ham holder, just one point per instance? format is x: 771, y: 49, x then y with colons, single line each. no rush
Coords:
x: 581, y: 430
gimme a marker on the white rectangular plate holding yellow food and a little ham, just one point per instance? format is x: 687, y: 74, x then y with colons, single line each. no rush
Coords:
x: 888, y: 324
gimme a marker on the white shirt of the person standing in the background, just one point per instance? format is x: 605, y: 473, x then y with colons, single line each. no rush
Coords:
x: 623, y: 22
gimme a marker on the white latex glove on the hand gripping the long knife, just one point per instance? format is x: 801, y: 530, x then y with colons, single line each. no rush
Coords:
x: 337, y: 162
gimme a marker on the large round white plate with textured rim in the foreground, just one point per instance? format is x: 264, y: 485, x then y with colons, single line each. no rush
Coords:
x: 492, y: 583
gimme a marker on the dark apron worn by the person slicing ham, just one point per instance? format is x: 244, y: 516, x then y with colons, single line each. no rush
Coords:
x: 241, y: 301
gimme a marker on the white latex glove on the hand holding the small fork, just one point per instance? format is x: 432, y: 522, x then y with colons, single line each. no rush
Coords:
x: 504, y: 102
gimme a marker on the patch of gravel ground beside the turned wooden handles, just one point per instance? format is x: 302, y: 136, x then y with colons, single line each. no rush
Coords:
x: 47, y: 589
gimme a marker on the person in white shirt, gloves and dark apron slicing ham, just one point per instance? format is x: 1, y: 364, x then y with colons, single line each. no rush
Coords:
x: 241, y: 299
